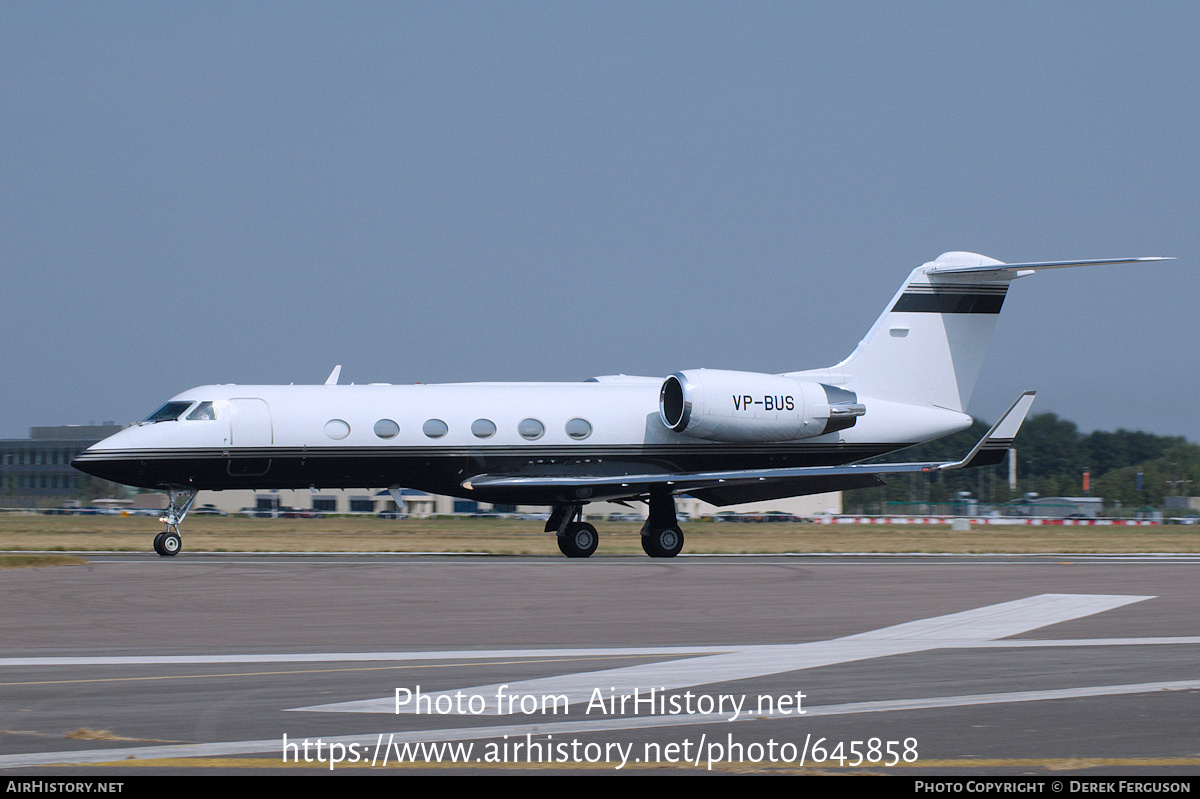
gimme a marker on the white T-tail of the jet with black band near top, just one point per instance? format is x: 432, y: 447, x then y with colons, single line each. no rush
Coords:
x: 928, y: 347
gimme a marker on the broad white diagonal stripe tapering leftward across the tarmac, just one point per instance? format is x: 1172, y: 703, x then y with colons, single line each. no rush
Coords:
x: 968, y: 628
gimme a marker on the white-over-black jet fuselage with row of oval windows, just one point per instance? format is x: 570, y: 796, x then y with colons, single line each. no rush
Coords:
x: 435, y: 437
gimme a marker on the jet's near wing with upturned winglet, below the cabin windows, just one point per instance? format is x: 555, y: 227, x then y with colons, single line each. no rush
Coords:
x: 736, y: 486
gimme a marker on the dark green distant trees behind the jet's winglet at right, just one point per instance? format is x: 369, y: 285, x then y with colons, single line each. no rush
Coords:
x: 1052, y: 459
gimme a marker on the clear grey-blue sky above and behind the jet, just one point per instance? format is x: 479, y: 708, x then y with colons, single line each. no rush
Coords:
x: 201, y: 194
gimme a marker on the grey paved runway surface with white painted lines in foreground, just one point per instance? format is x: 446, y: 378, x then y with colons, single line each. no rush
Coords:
x: 932, y: 665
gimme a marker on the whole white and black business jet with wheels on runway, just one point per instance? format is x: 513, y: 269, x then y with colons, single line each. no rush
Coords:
x: 723, y: 437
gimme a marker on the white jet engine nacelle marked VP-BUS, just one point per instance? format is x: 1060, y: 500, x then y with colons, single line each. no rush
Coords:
x: 723, y: 406
